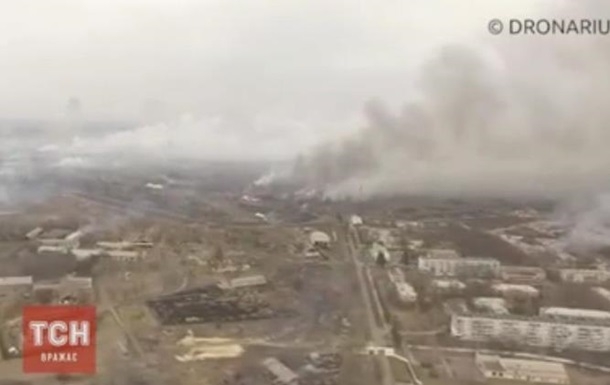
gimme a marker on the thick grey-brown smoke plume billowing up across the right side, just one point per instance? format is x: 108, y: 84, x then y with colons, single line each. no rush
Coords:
x: 524, y: 115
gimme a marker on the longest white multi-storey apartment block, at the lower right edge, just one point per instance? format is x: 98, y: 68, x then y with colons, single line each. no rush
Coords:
x: 533, y: 331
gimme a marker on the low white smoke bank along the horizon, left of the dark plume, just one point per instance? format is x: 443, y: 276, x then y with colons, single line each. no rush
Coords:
x: 215, y: 139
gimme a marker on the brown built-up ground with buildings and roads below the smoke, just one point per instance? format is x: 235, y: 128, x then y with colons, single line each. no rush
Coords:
x: 251, y: 286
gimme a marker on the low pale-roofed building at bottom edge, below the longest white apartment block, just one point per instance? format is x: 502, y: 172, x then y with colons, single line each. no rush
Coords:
x: 496, y: 367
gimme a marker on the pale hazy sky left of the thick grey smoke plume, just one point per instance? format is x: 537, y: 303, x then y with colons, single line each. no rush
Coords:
x: 314, y: 60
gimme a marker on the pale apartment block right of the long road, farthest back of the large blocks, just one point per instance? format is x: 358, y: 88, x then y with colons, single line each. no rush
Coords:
x: 456, y: 267
